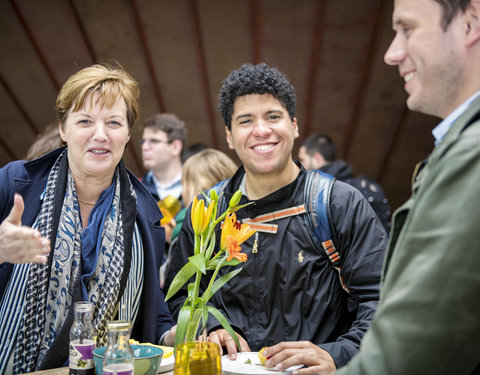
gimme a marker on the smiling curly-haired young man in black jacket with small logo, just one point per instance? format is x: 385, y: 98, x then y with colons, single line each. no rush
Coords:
x: 288, y: 289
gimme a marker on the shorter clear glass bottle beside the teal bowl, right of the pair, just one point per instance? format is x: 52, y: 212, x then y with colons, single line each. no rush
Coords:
x: 118, y: 357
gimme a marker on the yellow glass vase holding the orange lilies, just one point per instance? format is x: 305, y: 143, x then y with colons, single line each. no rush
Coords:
x: 197, y: 358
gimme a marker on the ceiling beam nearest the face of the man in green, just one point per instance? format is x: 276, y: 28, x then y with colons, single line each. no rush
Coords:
x: 380, y: 16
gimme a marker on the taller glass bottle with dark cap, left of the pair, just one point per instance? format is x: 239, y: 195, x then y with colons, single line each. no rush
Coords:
x: 82, y: 340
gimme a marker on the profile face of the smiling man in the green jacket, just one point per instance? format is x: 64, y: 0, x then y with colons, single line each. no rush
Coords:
x: 428, y: 57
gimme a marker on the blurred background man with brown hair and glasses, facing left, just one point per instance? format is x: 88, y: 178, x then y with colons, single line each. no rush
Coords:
x: 163, y: 139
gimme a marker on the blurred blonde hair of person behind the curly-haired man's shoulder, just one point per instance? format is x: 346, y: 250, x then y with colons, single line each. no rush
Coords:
x: 203, y: 170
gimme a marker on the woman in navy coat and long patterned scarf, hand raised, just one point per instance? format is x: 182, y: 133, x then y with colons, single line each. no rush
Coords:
x: 76, y: 225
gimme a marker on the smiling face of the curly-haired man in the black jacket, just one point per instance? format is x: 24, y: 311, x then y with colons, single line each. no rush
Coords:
x: 262, y: 134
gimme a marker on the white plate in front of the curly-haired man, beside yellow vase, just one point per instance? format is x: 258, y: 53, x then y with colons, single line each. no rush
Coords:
x: 241, y: 366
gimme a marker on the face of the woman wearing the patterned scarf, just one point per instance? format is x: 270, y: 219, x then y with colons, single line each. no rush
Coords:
x: 96, y: 137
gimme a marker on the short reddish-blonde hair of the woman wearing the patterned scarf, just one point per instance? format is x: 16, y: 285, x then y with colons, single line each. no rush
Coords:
x: 110, y: 83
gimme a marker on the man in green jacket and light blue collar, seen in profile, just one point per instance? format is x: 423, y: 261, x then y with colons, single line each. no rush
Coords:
x: 428, y: 317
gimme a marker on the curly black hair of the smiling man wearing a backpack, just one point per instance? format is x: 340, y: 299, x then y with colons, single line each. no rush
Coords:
x: 255, y: 79
